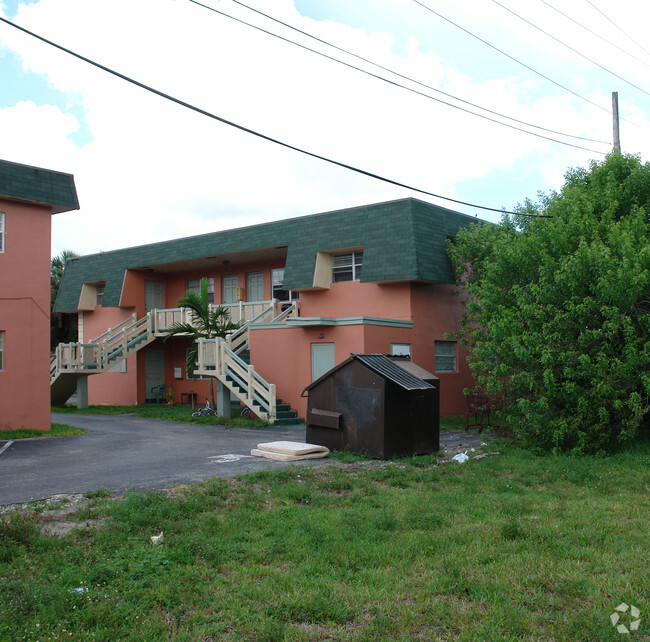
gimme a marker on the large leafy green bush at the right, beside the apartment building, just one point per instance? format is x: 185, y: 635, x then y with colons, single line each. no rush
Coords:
x: 558, y: 315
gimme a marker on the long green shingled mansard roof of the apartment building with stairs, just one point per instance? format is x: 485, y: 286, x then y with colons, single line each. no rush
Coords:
x: 401, y: 240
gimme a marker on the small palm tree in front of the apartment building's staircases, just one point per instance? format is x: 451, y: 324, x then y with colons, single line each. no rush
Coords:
x: 206, y: 323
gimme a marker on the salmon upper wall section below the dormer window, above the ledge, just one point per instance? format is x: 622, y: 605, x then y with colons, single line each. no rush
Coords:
x: 354, y: 299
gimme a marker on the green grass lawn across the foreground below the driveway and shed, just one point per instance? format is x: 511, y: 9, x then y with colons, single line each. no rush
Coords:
x: 507, y: 547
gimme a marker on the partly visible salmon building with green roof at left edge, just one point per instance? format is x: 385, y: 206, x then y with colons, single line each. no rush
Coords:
x: 28, y: 198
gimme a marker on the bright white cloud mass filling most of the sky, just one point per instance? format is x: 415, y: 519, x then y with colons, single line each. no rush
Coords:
x: 154, y: 170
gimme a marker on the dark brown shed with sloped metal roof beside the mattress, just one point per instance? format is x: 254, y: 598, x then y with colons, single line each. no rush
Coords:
x: 372, y: 404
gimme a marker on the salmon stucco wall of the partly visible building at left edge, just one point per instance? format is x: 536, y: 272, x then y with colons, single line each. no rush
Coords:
x: 25, y: 317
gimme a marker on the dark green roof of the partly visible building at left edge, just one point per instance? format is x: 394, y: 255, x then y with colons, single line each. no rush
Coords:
x: 36, y: 185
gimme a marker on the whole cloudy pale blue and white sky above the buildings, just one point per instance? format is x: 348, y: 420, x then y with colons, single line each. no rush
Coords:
x: 147, y: 169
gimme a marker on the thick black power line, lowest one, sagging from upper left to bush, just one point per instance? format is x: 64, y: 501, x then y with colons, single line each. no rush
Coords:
x: 255, y: 133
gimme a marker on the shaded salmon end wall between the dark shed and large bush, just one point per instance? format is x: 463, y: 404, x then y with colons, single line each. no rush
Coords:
x: 436, y: 311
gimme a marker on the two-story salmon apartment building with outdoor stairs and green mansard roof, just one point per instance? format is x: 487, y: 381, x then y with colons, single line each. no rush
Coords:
x: 309, y: 291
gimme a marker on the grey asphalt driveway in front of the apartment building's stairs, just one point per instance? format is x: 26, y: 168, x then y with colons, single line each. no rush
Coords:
x: 121, y: 452
